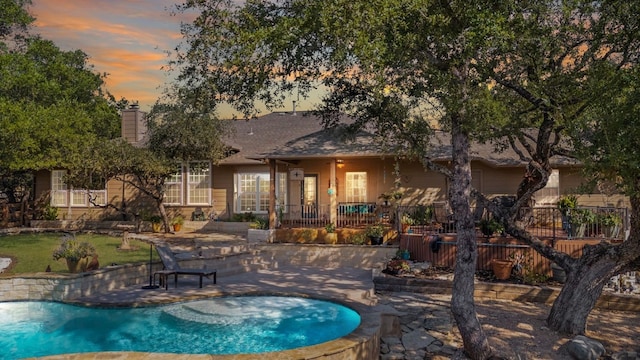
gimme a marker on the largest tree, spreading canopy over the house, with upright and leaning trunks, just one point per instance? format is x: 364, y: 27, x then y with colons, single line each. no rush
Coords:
x: 483, y: 71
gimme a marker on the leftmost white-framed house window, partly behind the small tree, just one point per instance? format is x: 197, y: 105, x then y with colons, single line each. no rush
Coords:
x: 62, y: 195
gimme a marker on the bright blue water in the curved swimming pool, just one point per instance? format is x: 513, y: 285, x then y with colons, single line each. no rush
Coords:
x: 229, y: 325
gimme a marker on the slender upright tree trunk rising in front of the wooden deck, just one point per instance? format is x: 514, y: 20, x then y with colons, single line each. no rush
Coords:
x: 476, y: 344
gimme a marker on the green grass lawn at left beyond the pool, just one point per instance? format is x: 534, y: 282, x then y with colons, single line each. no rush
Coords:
x: 32, y: 253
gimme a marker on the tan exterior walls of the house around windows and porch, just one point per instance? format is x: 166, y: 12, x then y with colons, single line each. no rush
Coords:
x: 419, y: 186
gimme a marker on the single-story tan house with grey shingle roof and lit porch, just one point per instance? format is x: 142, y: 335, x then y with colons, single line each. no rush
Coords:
x: 318, y: 177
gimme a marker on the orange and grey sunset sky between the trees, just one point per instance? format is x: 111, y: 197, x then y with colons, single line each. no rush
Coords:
x: 127, y: 40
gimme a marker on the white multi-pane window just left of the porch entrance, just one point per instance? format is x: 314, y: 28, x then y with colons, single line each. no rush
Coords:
x: 253, y: 192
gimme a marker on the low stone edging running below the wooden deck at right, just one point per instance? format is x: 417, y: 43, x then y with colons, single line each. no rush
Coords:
x: 500, y: 291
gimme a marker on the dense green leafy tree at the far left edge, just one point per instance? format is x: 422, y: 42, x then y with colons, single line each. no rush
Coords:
x: 52, y: 103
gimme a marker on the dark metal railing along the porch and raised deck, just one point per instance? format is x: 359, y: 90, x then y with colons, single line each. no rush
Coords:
x: 544, y: 222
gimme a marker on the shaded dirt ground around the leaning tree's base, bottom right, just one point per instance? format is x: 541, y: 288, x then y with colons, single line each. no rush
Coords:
x: 518, y: 330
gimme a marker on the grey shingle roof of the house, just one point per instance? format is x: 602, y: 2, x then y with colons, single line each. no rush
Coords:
x: 288, y: 136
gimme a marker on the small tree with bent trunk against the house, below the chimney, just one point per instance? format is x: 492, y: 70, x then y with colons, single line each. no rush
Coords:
x: 177, y: 134
